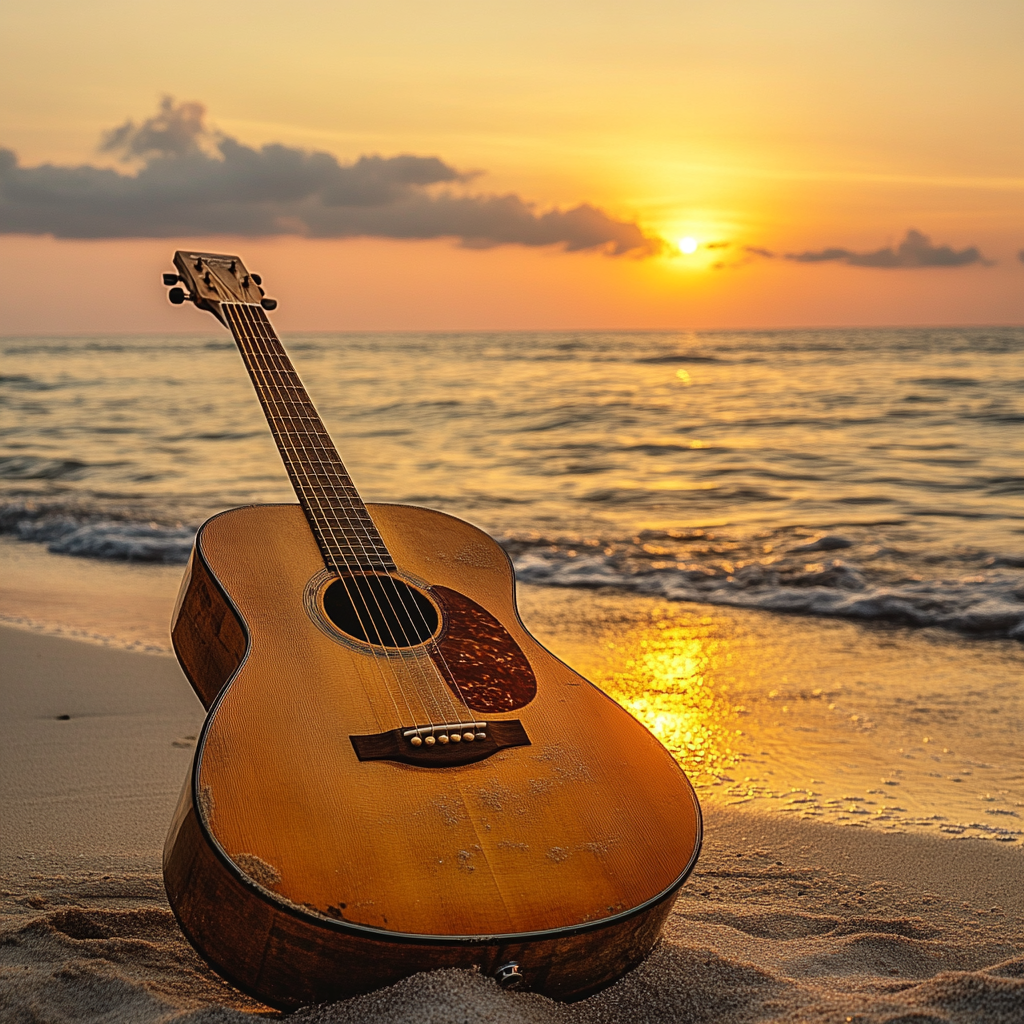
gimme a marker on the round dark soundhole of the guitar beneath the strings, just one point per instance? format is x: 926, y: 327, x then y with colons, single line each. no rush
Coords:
x: 380, y: 610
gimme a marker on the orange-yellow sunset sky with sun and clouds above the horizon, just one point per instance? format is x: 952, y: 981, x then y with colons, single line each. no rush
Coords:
x: 828, y: 163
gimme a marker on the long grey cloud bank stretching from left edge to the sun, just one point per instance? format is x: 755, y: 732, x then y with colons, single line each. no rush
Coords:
x: 192, y: 181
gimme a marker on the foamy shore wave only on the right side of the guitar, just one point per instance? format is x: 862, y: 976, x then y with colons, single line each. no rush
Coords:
x: 979, y: 595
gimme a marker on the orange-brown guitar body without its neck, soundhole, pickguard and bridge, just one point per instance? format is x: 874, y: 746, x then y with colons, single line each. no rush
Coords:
x: 305, y: 875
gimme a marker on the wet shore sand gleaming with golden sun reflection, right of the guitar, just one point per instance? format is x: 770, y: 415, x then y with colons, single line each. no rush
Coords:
x: 823, y: 719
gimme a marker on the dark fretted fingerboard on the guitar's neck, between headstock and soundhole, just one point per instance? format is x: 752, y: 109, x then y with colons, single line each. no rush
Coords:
x: 348, y: 537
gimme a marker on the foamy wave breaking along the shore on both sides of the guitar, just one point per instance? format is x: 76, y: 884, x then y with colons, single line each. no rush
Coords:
x: 795, y: 571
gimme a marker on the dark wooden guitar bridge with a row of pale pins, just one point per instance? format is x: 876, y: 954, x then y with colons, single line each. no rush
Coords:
x: 441, y: 746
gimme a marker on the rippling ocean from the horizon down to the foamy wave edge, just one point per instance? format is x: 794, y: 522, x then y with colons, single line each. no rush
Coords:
x: 864, y: 475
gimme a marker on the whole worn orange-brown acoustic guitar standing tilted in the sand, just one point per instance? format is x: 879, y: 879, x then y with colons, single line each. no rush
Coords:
x: 394, y: 776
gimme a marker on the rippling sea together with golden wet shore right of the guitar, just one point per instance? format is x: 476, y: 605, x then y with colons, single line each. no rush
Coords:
x: 868, y: 481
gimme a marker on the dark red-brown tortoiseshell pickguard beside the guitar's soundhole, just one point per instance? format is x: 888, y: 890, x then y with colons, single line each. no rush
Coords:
x: 493, y: 673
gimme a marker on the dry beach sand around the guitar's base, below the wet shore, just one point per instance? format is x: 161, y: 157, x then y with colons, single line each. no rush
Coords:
x: 783, y: 921
